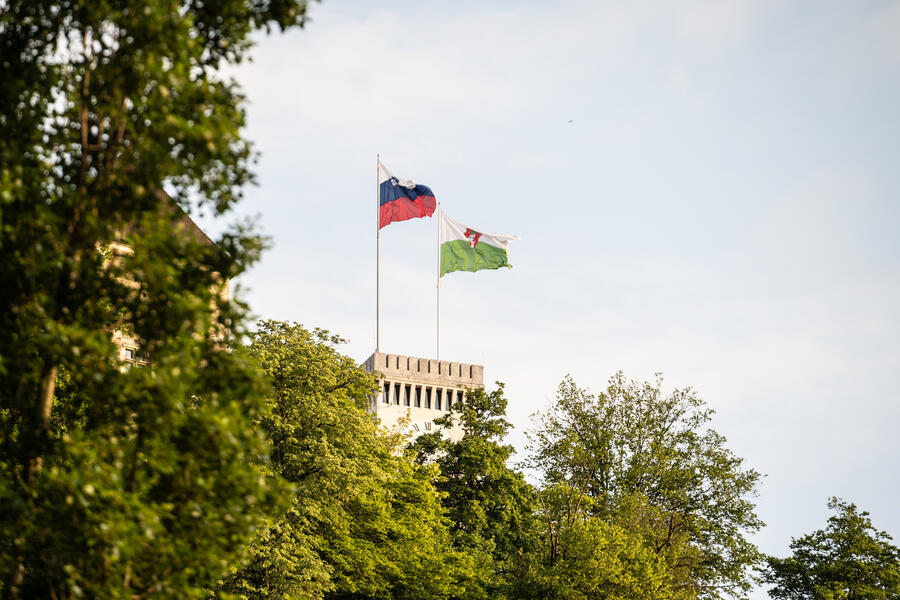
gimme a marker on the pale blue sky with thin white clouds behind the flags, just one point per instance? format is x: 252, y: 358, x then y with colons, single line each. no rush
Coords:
x: 707, y: 189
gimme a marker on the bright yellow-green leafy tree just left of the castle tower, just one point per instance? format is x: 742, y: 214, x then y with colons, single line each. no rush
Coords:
x: 365, y: 521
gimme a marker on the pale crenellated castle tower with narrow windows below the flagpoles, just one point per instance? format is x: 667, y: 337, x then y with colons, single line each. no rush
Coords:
x: 422, y: 388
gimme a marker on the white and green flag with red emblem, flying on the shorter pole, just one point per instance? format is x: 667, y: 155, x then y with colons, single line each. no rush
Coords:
x: 465, y: 249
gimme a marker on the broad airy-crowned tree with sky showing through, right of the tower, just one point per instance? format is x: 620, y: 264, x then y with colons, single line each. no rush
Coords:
x: 648, y: 464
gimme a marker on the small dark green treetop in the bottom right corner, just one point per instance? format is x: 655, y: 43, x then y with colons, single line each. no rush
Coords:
x: 848, y: 560
